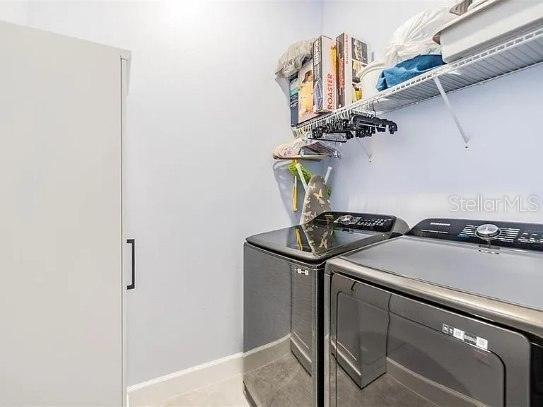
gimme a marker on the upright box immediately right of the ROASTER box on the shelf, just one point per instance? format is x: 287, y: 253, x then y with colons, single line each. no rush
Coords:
x: 352, y: 55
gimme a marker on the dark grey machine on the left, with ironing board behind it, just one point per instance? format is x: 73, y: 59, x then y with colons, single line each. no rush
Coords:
x: 283, y: 303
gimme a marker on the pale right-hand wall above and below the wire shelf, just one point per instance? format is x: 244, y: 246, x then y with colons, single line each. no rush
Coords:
x: 414, y: 172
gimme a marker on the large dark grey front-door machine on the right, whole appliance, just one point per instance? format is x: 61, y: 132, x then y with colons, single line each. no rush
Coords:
x: 450, y: 314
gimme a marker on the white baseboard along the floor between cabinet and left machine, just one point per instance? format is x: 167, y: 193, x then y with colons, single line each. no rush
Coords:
x: 157, y: 390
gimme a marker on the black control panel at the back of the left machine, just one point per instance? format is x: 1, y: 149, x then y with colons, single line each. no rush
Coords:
x: 360, y: 221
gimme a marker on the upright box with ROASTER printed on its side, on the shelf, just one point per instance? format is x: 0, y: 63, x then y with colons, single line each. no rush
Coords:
x: 324, y: 71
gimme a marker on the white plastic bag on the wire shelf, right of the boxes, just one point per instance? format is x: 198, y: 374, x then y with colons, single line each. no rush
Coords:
x: 415, y: 36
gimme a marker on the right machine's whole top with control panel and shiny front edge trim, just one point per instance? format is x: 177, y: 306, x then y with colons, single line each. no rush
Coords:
x: 493, y: 270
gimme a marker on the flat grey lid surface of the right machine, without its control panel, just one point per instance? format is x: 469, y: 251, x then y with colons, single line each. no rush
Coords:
x: 509, y: 275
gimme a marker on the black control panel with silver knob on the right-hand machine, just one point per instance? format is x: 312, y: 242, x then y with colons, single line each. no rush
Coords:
x: 507, y: 234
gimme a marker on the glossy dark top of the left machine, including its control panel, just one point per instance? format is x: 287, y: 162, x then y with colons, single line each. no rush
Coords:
x: 328, y: 235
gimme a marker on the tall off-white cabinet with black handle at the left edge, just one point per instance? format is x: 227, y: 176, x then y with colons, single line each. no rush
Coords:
x: 61, y: 234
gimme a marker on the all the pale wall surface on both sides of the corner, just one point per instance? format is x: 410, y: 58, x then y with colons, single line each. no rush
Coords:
x: 204, y: 113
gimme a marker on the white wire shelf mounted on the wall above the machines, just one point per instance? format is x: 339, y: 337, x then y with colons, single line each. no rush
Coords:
x: 519, y: 53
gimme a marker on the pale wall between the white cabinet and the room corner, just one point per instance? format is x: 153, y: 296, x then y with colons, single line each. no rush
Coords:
x: 204, y: 114
